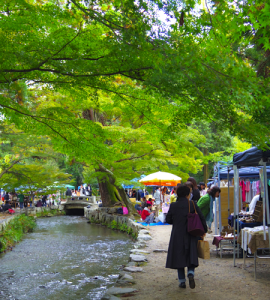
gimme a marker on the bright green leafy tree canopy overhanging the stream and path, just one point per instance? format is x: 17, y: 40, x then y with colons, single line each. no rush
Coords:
x: 116, y: 89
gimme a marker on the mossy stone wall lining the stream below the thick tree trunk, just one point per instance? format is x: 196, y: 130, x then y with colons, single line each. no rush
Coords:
x: 107, y: 216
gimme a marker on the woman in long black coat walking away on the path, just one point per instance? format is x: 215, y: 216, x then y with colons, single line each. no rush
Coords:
x: 183, y: 246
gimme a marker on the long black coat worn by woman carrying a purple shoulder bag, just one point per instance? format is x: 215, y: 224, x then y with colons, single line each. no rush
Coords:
x: 183, y: 246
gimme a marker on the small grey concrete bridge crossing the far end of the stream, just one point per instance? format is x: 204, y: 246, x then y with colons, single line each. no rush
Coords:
x: 76, y: 206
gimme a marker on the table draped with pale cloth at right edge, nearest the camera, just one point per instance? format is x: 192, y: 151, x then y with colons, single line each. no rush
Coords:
x: 251, y: 240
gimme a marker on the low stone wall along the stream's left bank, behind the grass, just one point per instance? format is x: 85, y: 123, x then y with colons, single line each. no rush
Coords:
x: 28, y: 211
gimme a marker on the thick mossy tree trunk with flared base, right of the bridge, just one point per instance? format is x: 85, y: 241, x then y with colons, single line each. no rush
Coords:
x: 110, y: 193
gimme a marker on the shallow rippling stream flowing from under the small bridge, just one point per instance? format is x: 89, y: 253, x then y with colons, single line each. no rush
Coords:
x: 64, y: 258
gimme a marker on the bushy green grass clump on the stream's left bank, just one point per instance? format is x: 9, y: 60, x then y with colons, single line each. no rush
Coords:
x: 15, y: 230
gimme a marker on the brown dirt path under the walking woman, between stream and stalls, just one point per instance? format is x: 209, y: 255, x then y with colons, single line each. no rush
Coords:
x: 215, y: 278
